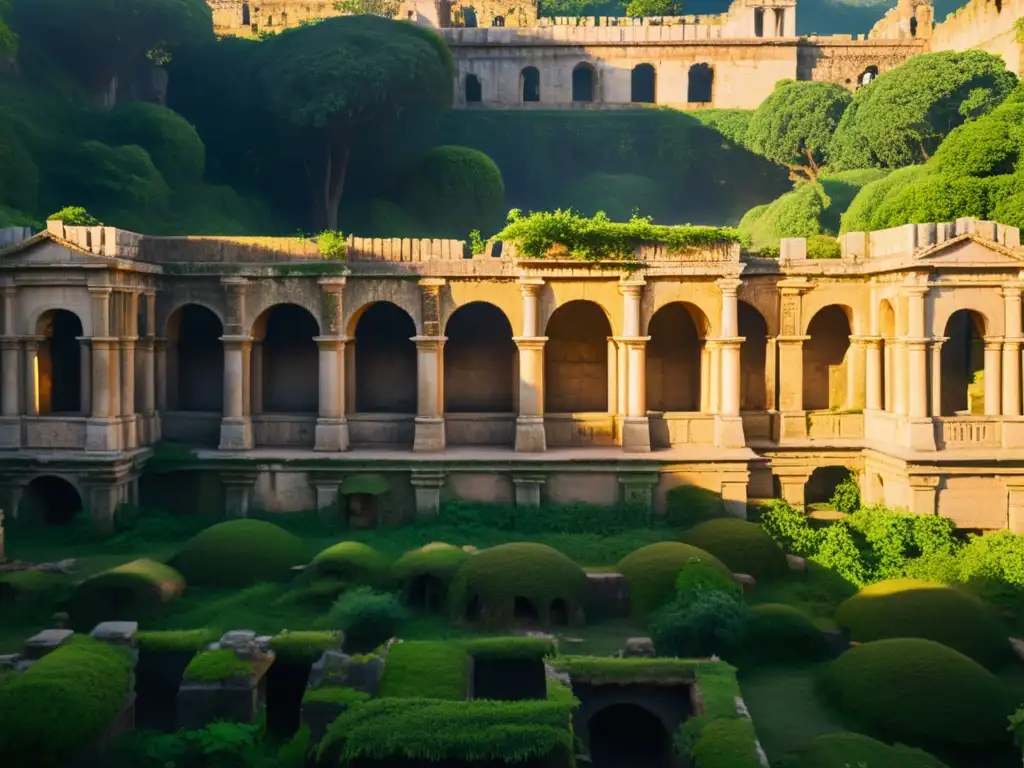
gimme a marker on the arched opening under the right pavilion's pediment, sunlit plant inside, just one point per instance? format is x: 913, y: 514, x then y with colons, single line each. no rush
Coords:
x: 963, y: 364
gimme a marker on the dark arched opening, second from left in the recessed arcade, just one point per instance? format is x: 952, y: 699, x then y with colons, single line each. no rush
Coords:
x: 288, y: 361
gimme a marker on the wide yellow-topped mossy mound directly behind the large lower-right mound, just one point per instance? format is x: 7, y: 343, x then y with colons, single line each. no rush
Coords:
x: 910, y: 608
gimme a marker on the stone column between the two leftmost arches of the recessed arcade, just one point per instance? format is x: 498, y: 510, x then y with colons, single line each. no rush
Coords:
x: 236, y: 424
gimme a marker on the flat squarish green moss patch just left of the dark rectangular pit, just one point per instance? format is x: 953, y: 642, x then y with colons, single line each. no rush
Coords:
x: 426, y: 670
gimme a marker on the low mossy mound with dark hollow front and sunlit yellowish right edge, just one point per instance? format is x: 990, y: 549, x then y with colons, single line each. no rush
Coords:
x: 134, y: 591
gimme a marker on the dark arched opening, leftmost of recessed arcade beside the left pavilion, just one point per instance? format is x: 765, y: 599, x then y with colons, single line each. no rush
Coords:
x: 196, y: 360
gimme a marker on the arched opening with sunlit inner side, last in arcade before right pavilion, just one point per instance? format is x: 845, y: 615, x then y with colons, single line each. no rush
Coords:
x: 825, y: 360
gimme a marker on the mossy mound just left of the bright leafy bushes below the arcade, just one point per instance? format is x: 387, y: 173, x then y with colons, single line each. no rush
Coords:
x: 744, y: 546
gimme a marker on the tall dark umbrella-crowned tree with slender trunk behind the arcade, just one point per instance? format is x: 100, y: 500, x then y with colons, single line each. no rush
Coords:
x: 345, y: 84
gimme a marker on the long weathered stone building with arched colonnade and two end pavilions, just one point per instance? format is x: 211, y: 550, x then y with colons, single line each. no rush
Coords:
x: 279, y: 374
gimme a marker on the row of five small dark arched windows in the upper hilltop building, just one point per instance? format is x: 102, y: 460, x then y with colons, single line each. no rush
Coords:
x: 586, y: 86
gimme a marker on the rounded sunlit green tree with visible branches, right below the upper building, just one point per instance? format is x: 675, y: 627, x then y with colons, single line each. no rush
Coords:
x: 794, y: 126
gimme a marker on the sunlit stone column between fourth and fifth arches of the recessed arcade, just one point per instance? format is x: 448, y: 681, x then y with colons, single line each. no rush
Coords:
x: 530, y: 436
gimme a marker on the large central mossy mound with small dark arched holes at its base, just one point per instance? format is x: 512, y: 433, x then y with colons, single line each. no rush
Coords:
x: 519, y: 581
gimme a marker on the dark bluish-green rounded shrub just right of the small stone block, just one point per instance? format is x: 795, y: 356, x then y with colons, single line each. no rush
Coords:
x: 709, y: 623
